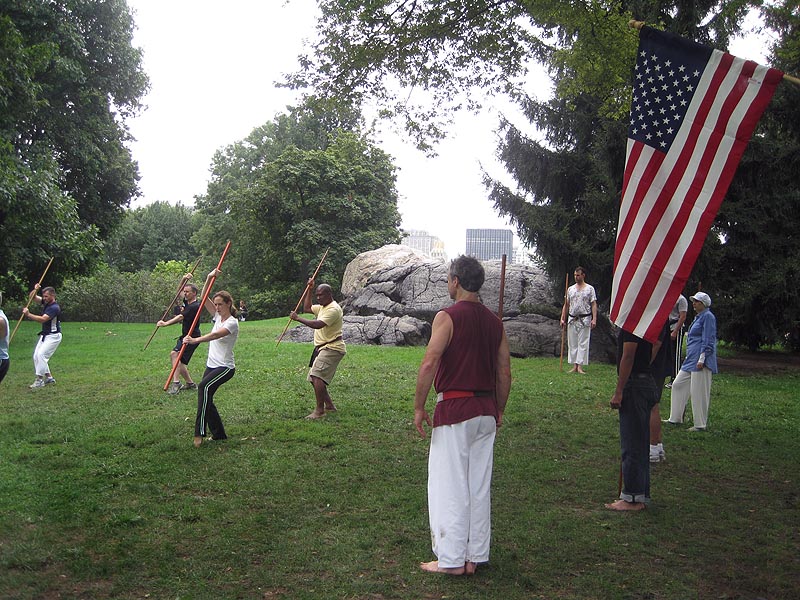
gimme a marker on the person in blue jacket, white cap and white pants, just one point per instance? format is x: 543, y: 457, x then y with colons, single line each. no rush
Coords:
x: 694, y: 378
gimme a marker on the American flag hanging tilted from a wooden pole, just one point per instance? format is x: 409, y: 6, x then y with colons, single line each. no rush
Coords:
x: 692, y: 115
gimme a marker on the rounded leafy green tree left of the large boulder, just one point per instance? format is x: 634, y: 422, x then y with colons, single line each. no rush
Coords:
x: 307, y: 181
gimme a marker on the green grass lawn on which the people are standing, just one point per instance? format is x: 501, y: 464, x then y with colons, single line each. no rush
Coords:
x: 102, y: 494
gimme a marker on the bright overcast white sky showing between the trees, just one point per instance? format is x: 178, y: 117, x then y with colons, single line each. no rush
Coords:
x: 212, y: 68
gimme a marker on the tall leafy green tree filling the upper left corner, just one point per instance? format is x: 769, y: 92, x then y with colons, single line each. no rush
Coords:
x: 69, y: 77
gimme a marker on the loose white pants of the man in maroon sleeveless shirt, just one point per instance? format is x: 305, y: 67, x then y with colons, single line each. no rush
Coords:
x: 459, y: 491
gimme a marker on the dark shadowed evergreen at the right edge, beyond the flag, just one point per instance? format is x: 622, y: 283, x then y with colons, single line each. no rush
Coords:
x: 752, y: 261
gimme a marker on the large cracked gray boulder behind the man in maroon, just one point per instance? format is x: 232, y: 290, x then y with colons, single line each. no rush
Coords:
x: 392, y: 294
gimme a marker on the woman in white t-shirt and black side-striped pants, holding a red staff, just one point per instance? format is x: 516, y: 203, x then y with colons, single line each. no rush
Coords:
x: 220, y: 366
